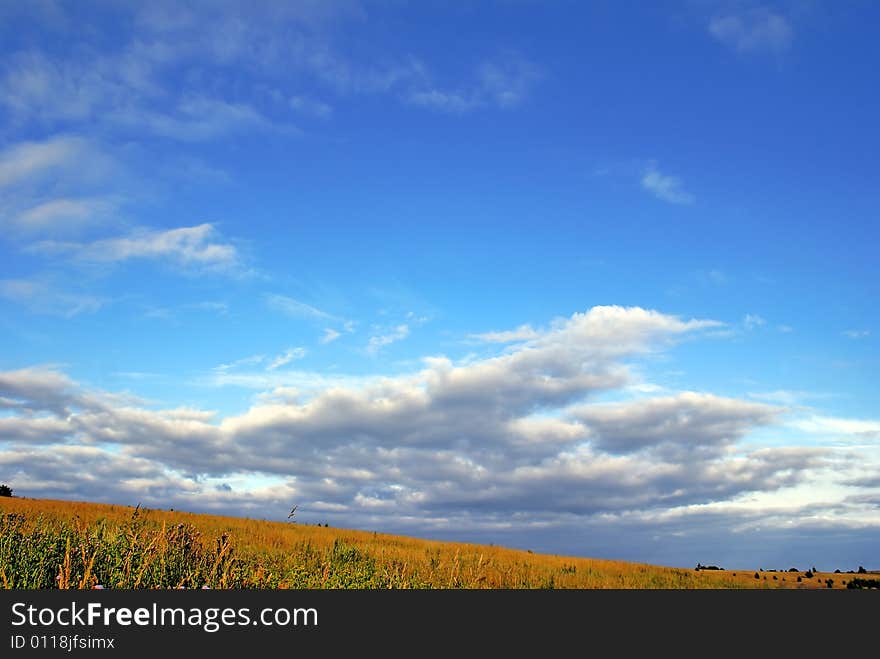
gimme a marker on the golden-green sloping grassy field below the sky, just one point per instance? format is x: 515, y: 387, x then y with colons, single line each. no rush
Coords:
x: 62, y: 544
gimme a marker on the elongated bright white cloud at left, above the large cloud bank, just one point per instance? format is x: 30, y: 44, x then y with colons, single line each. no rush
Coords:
x: 194, y: 247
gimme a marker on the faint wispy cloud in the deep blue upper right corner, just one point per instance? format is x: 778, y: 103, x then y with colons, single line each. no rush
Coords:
x: 758, y: 30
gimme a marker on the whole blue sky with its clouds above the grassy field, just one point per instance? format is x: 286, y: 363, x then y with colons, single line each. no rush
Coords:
x: 587, y: 278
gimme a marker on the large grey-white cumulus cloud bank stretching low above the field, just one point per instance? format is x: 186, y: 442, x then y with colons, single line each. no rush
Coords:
x: 494, y: 444
